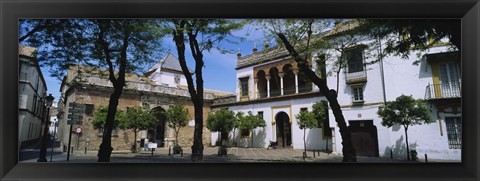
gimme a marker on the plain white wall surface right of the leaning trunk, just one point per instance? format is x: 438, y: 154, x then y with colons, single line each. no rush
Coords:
x: 401, y: 77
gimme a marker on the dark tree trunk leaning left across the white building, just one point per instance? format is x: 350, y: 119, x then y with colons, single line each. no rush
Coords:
x: 348, y: 151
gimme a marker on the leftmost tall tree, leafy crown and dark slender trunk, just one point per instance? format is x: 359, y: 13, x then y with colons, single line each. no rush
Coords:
x: 118, y: 45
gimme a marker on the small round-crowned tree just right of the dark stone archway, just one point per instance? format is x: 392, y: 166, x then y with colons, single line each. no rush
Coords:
x: 177, y: 117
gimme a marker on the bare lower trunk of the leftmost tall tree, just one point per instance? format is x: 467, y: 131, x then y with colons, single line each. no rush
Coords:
x: 106, y: 145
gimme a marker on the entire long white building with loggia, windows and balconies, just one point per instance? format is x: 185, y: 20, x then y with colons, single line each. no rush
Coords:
x: 270, y: 84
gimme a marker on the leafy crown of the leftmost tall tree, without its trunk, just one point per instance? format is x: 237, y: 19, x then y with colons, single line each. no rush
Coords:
x: 66, y: 42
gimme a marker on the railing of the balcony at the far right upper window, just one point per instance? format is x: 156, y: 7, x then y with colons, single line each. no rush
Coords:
x: 447, y: 90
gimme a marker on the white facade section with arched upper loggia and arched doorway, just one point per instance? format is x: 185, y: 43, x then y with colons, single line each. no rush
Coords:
x: 271, y: 85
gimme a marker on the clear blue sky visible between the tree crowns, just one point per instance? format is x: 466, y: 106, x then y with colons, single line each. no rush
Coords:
x: 219, y: 71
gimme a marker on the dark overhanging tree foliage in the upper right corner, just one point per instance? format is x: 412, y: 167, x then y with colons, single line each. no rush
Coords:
x: 401, y: 36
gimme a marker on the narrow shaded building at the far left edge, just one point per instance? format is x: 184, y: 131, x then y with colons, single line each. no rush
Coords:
x: 32, y: 91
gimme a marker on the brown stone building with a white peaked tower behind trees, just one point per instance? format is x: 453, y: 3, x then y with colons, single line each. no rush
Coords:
x: 158, y: 90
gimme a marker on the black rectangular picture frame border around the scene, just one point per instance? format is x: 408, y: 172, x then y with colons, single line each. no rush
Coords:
x: 11, y: 11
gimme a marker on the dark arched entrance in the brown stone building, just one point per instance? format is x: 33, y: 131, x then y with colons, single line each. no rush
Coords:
x: 159, y: 131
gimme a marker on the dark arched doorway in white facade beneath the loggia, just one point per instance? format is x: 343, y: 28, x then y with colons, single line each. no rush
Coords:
x: 283, y: 129
